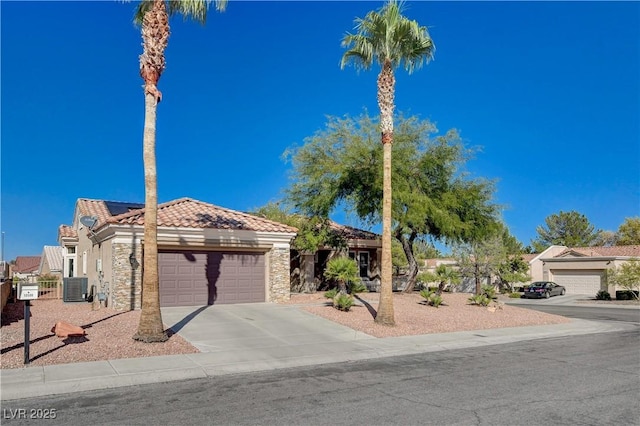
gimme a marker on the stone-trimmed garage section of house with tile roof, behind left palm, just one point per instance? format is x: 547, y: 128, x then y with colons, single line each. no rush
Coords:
x: 206, y: 254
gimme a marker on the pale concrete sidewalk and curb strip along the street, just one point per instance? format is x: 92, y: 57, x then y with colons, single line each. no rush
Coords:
x: 33, y: 382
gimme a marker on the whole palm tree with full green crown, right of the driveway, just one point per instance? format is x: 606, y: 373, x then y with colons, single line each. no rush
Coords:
x: 389, y: 39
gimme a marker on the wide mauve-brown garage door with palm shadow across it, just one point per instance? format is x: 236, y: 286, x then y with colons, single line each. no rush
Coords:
x: 207, y: 278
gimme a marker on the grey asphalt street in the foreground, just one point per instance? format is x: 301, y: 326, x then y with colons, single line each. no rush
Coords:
x: 576, y: 380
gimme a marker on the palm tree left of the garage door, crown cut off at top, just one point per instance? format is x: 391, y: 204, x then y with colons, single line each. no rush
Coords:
x: 153, y: 17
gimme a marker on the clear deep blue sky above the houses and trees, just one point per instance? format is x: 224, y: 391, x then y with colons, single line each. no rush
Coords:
x: 550, y: 90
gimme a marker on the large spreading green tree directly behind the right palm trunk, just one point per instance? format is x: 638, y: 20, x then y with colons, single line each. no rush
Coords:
x: 433, y: 200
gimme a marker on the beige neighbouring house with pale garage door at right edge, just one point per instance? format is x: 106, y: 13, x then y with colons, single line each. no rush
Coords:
x: 582, y: 270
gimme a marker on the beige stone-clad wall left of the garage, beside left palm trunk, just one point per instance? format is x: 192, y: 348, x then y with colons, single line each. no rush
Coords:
x: 126, y: 287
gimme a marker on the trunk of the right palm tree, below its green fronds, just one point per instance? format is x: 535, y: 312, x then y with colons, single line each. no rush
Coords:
x: 386, y: 83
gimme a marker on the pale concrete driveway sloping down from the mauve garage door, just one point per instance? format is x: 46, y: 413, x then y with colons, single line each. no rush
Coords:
x: 267, y: 327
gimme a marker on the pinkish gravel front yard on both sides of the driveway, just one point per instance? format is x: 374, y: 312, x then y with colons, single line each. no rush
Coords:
x: 109, y: 332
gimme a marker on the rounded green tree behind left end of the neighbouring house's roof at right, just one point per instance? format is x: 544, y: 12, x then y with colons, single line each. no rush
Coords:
x: 571, y: 229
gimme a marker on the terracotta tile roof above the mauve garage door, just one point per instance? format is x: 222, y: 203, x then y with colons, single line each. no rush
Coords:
x: 190, y: 213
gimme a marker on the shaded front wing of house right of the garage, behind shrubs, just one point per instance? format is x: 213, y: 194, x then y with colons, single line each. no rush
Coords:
x: 307, y: 269
